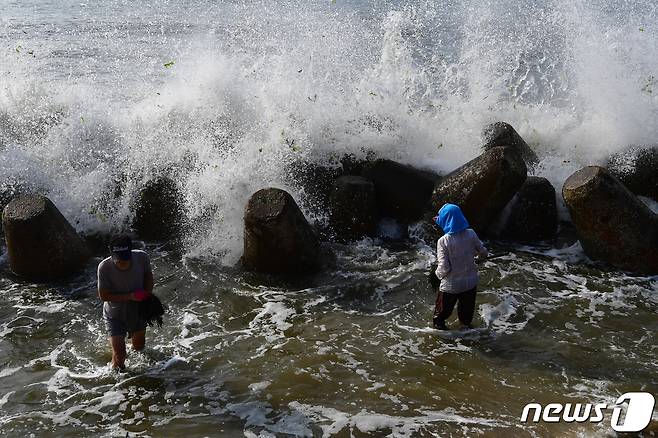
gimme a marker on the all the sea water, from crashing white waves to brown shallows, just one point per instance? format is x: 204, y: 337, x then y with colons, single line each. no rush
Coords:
x: 227, y: 98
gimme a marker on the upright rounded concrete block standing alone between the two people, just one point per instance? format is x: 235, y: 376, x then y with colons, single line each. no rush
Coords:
x: 277, y: 237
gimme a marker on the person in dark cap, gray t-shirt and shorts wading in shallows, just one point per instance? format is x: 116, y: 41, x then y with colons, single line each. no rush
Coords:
x: 124, y: 279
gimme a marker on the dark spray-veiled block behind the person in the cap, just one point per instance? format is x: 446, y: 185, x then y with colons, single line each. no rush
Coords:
x: 158, y: 210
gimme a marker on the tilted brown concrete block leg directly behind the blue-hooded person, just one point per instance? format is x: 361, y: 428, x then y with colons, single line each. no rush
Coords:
x: 482, y: 187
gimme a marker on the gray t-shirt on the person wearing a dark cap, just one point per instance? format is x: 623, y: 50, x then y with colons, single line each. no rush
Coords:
x: 123, y: 282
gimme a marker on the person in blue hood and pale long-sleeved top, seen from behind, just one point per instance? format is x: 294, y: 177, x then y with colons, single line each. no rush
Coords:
x: 456, y: 251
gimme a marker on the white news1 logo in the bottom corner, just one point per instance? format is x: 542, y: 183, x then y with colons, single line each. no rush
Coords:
x: 638, y: 412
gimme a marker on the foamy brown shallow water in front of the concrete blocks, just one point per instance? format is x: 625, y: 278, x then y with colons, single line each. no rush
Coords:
x: 347, y: 353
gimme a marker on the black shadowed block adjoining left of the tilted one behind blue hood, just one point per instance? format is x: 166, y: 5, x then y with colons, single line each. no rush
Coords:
x: 402, y: 191
